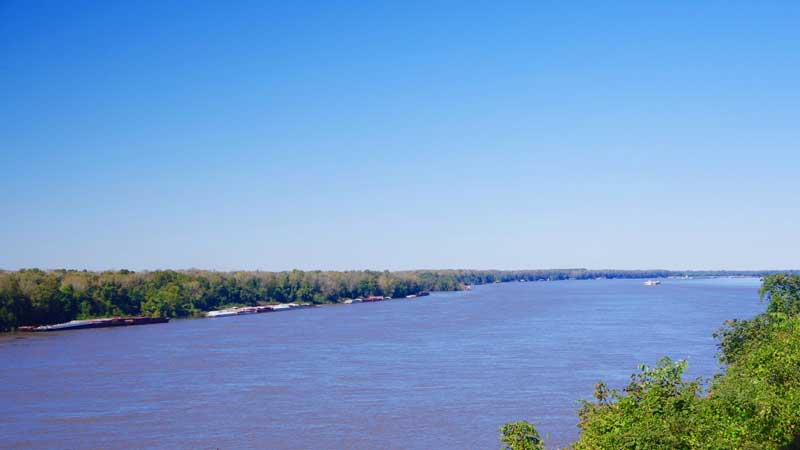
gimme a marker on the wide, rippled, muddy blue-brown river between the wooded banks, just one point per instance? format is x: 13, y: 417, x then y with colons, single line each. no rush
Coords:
x: 444, y: 371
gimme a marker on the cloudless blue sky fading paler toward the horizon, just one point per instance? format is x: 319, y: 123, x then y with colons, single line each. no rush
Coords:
x: 348, y: 135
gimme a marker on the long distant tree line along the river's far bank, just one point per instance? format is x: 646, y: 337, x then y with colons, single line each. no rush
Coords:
x: 34, y: 296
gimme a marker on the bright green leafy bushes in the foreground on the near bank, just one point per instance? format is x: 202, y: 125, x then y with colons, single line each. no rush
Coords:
x: 754, y: 404
